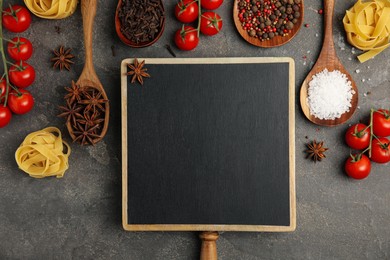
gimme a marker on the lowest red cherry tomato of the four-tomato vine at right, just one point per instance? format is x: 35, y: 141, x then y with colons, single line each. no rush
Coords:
x: 358, y: 166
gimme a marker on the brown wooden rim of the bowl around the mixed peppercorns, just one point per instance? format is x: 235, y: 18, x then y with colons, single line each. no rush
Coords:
x: 274, y: 42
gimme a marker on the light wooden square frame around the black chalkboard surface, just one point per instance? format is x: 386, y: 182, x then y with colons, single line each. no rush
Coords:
x: 208, y: 227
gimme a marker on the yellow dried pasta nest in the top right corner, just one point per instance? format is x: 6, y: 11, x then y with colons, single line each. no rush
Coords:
x: 367, y: 25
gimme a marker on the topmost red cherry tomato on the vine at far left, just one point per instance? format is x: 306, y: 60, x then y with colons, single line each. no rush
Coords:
x: 16, y: 18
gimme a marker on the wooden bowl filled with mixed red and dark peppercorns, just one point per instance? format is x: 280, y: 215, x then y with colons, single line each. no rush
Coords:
x: 268, y: 23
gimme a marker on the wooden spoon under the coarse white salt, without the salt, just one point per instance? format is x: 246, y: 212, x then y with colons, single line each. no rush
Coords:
x: 327, y: 60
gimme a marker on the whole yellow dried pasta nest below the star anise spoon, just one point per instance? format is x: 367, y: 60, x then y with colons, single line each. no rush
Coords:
x: 42, y: 154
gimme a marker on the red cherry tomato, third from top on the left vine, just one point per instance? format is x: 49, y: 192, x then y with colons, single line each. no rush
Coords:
x: 21, y: 75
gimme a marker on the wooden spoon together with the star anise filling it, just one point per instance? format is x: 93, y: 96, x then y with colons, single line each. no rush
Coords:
x: 89, y: 124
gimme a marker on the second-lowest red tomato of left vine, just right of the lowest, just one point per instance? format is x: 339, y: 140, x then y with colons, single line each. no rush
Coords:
x: 20, y: 103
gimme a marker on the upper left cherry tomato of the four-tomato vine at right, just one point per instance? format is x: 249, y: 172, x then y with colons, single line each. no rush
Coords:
x: 358, y: 137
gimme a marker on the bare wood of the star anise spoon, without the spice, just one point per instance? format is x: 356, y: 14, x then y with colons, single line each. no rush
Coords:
x: 88, y: 77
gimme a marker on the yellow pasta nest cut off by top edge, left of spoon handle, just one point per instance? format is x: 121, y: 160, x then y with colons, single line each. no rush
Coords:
x: 51, y: 9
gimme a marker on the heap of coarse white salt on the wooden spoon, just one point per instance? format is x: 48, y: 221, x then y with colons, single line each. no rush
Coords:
x: 329, y: 95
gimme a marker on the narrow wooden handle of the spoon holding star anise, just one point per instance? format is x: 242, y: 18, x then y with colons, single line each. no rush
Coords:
x: 88, y: 12
